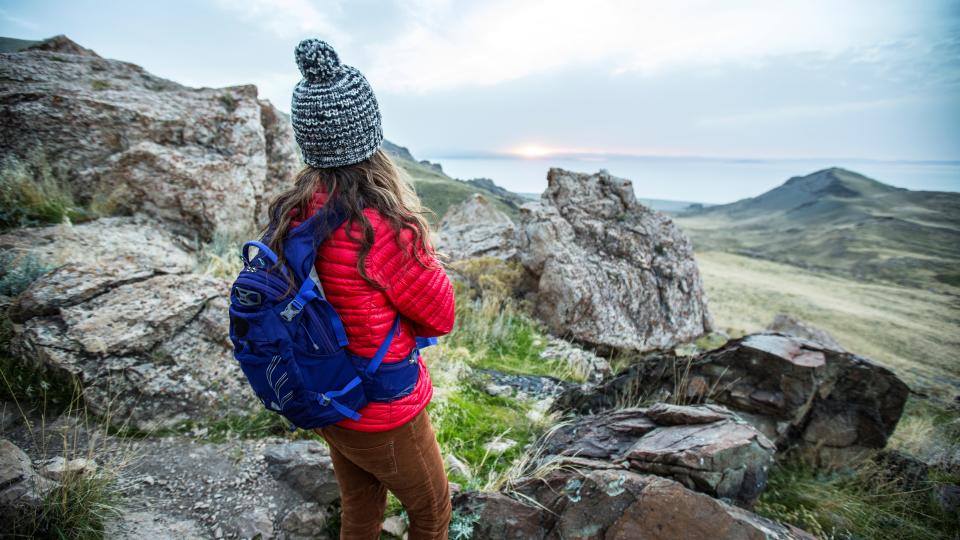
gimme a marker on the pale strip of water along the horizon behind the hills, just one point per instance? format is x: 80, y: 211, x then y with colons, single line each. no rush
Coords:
x: 706, y: 180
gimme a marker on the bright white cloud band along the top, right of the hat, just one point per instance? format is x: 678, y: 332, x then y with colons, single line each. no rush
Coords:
x: 441, y: 45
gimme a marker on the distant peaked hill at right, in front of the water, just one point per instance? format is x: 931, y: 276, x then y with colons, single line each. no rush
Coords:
x: 841, y: 221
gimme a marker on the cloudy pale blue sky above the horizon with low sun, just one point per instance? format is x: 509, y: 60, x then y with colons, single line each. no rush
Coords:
x: 875, y: 80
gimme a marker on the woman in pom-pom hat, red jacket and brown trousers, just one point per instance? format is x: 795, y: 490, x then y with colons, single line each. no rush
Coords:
x: 377, y: 265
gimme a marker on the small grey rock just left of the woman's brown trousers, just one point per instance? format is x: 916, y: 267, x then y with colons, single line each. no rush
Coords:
x: 306, y: 467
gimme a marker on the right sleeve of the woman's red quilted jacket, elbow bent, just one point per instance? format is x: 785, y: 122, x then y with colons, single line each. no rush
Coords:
x: 424, y: 295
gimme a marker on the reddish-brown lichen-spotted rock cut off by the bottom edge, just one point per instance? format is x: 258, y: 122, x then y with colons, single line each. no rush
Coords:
x: 611, y: 504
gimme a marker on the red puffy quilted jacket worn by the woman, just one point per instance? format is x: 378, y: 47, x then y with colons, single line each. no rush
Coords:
x: 423, y: 296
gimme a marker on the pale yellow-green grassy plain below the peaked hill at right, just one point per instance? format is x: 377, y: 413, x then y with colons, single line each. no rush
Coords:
x: 912, y: 331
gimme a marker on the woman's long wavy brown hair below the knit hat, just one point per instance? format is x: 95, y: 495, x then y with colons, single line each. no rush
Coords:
x: 376, y: 183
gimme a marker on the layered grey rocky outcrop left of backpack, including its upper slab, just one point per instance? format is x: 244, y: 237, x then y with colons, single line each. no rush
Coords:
x: 145, y: 338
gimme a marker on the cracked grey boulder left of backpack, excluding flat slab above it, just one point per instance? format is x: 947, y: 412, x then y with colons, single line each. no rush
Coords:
x: 149, y: 352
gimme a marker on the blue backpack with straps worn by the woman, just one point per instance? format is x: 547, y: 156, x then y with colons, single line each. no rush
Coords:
x: 291, y: 347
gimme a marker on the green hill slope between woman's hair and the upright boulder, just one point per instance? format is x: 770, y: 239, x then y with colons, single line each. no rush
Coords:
x: 438, y: 191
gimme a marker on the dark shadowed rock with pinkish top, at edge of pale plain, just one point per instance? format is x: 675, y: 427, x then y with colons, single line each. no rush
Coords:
x: 831, y: 406
